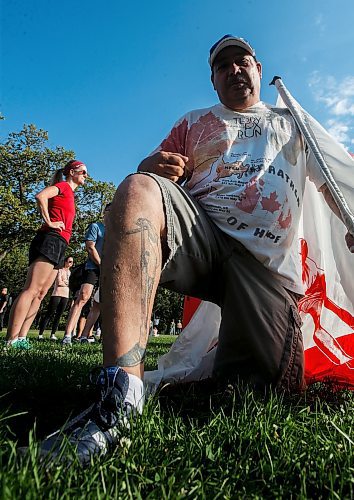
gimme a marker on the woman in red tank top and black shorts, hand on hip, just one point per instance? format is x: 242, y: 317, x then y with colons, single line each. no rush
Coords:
x: 47, y: 250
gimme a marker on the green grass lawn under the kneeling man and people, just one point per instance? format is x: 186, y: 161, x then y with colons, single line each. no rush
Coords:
x: 194, y: 441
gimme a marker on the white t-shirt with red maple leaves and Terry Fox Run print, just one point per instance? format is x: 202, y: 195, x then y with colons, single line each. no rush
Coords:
x: 248, y: 170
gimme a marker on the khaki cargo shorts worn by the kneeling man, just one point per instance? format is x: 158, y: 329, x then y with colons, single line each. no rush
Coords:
x: 260, y: 339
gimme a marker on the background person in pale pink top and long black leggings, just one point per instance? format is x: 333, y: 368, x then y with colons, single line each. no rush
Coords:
x: 58, y: 300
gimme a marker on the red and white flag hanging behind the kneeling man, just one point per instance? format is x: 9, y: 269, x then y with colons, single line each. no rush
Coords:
x: 327, y: 308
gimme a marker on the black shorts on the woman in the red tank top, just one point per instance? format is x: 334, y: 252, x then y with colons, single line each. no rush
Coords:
x: 49, y: 245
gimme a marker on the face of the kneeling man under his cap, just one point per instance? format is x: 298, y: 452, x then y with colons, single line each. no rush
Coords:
x: 236, y: 77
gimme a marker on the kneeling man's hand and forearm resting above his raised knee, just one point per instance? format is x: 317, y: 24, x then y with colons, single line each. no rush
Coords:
x: 165, y: 164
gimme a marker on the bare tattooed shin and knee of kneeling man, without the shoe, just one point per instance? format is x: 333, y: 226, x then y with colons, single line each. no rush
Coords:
x: 130, y: 271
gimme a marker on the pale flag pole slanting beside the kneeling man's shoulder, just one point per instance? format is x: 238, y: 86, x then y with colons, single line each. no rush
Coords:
x: 295, y: 110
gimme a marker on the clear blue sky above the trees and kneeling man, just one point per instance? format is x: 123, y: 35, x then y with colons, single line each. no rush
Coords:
x: 108, y: 79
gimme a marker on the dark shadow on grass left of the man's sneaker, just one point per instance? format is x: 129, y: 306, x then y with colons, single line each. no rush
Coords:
x: 46, y: 387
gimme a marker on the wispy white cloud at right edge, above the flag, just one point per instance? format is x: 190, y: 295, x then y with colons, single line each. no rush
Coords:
x: 338, y: 98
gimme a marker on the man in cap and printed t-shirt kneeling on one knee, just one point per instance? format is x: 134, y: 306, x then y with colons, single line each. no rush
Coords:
x: 214, y: 238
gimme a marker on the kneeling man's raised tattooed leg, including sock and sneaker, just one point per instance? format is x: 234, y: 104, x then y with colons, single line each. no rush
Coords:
x: 130, y: 272
